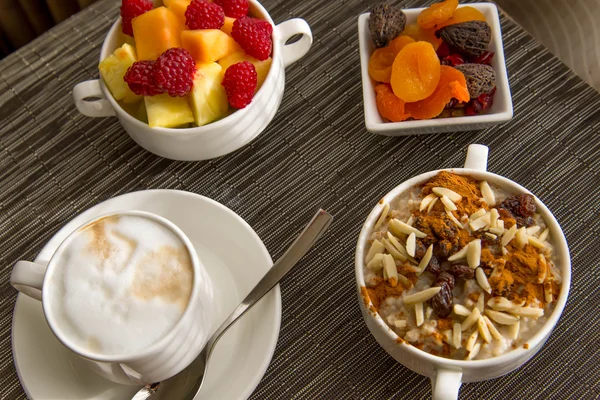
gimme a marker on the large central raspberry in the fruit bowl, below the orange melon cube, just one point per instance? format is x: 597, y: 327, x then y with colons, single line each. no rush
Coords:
x: 174, y: 72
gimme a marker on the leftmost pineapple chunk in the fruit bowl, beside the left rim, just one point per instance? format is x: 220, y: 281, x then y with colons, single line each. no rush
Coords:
x: 113, y: 69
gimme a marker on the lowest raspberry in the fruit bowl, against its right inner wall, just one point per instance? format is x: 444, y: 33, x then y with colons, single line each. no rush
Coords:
x: 239, y: 83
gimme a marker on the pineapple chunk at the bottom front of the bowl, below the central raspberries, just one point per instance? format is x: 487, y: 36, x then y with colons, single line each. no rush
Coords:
x: 167, y: 112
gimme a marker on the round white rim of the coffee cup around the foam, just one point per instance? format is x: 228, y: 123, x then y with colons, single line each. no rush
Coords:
x: 154, y: 347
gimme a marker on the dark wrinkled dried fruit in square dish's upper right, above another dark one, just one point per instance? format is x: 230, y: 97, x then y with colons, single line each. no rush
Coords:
x: 470, y: 38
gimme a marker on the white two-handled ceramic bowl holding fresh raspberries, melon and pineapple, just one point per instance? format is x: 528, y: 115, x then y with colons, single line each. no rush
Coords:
x: 217, y: 138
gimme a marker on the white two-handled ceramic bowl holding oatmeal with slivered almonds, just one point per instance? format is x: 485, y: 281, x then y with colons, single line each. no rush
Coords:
x: 447, y: 374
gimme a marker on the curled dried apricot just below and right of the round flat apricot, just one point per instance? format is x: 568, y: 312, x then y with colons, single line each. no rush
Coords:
x: 452, y: 84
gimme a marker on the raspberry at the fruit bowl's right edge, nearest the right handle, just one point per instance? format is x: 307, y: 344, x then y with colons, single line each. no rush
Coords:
x: 254, y: 35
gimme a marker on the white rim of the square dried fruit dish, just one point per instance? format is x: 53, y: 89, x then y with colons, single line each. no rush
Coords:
x: 501, y: 81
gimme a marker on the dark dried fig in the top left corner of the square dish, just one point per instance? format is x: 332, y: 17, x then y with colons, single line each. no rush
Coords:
x: 385, y: 23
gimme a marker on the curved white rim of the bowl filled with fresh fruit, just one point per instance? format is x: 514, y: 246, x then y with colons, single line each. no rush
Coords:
x: 198, y: 130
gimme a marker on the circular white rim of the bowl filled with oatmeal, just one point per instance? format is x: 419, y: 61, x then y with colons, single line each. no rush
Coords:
x: 559, y: 241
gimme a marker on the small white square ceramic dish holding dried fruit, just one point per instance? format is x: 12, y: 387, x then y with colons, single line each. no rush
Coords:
x: 501, y: 111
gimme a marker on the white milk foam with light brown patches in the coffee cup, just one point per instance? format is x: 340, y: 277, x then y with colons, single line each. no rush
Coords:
x: 121, y: 285
